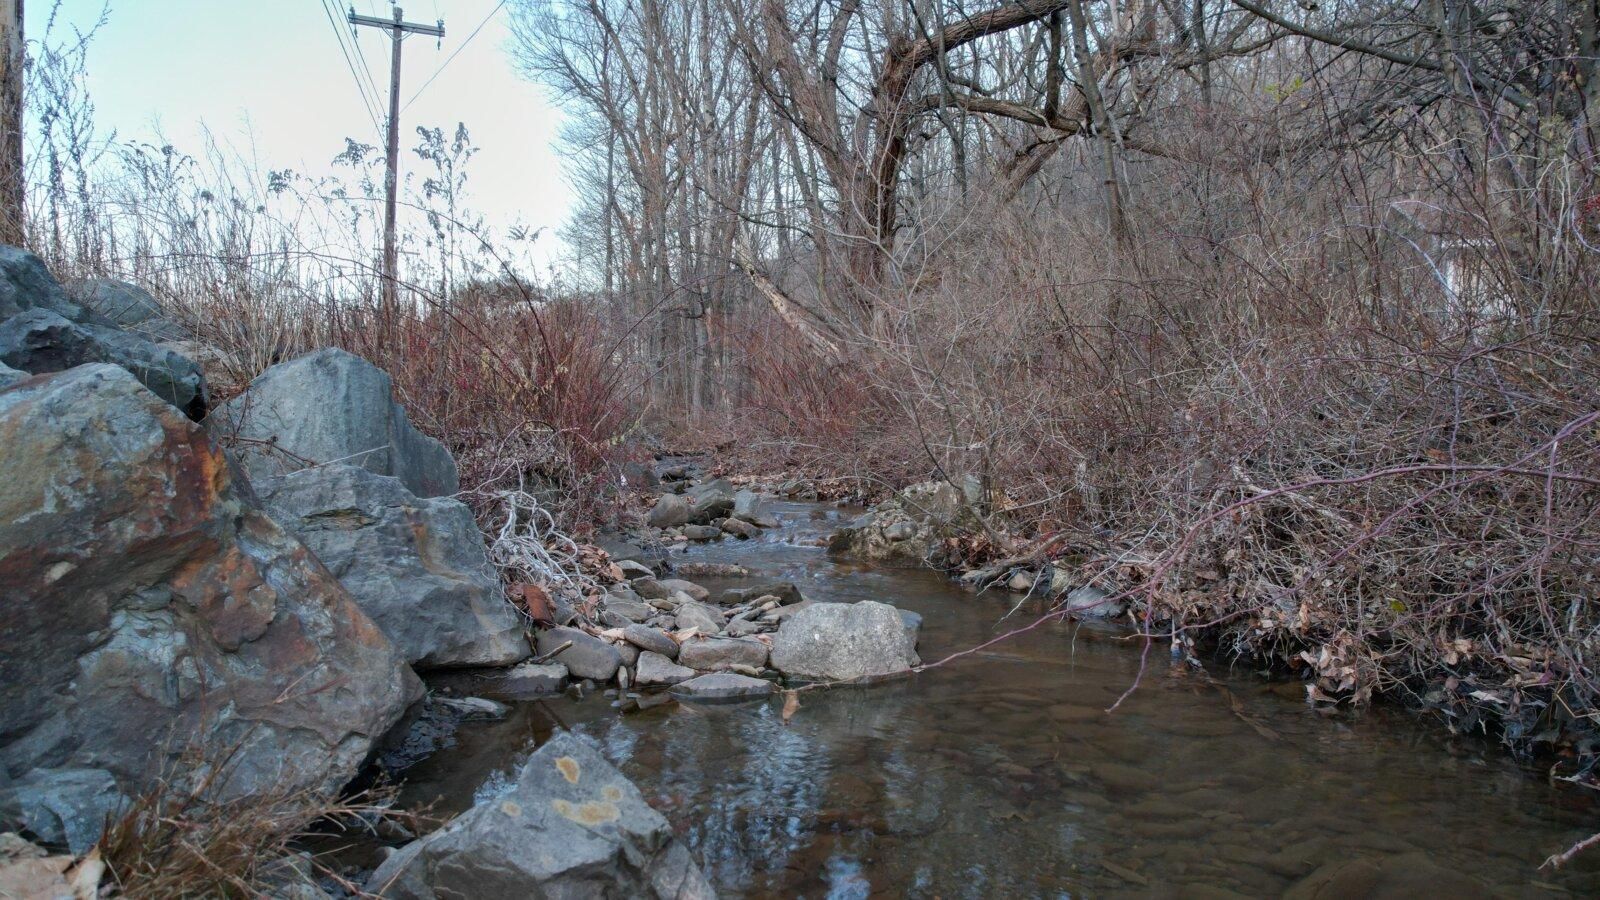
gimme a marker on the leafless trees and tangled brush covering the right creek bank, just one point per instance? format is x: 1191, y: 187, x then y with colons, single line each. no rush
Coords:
x: 1282, y: 311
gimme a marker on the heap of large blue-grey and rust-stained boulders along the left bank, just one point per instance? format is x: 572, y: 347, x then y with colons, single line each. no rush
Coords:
x: 156, y: 603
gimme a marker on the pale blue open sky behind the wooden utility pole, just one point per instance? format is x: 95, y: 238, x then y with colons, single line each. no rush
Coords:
x: 271, y: 73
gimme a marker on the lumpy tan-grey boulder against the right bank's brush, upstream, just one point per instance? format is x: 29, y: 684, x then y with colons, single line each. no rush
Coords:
x: 910, y: 528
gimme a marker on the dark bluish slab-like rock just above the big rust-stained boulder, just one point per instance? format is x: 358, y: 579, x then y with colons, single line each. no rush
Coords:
x: 41, y: 342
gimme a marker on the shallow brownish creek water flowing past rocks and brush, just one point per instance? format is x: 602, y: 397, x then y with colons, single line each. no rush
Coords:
x: 1001, y: 774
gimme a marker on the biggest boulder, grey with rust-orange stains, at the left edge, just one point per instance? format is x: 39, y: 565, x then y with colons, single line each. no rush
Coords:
x: 148, y: 609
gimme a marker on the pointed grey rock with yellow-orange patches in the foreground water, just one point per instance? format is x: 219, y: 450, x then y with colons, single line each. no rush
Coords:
x: 572, y: 829
